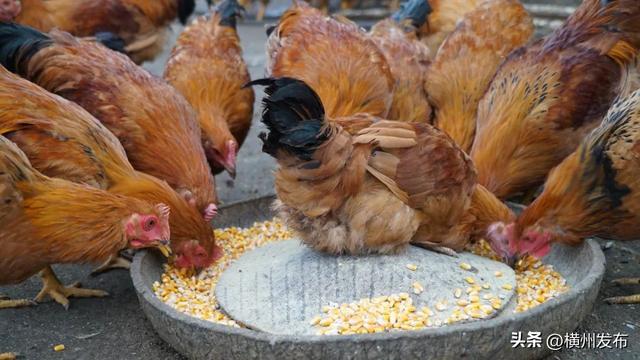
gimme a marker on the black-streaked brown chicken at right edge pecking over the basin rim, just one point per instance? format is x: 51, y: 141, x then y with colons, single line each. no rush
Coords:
x: 595, y: 191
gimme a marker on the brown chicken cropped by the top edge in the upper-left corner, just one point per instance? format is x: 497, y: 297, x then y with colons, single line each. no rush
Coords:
x: 141, y: 25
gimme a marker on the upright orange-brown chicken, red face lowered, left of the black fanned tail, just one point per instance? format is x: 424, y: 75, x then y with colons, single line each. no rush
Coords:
x: 206, y: 66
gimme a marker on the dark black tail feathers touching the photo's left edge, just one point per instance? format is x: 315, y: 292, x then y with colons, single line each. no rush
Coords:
x: 18, y: 44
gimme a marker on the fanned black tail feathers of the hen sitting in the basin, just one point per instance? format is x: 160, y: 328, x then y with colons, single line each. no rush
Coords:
x: 294, y: 116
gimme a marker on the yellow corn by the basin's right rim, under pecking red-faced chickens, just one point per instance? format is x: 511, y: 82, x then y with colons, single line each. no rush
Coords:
x: 536, y: 282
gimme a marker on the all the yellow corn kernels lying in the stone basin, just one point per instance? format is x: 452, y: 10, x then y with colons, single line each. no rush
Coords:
x: 194, y: 295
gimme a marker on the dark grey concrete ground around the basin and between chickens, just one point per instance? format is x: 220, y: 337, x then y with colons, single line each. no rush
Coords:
x: 115, y: 328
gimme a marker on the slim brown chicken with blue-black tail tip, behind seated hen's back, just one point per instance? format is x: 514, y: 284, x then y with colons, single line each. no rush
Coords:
x: 408, y: 60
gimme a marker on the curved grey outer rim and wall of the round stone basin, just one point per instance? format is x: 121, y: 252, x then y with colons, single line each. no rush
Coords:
x: 582, y: 267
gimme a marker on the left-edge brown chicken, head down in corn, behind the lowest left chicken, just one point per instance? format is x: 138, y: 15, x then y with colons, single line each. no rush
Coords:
x: 62, y: 140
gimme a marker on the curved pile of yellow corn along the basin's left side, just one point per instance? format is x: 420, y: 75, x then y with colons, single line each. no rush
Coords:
x: 195, y: 295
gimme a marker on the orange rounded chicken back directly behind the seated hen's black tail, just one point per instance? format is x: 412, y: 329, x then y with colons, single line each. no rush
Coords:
x: 335, y: 57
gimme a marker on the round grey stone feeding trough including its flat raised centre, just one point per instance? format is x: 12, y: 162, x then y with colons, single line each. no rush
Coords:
x: 280, y: 329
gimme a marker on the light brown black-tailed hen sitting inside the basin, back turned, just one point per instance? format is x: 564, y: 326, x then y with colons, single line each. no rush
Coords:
x: 390, y: 184
